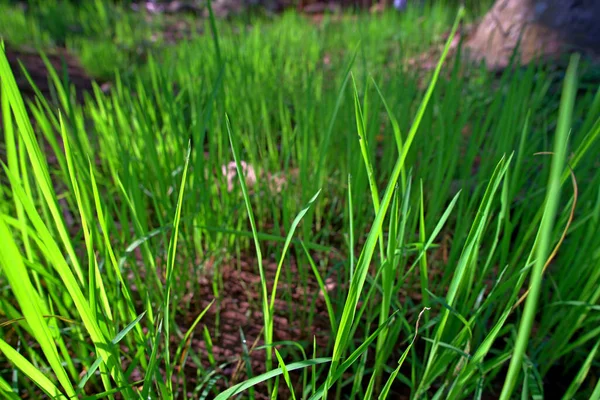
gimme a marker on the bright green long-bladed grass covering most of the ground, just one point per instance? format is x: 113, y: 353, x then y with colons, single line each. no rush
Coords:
x: 456, y: 211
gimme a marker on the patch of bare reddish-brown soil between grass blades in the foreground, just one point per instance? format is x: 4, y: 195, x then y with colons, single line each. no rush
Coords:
x: 238, y: 310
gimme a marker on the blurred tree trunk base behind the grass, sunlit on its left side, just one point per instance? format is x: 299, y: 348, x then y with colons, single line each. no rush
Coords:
x: 540, y: 28
